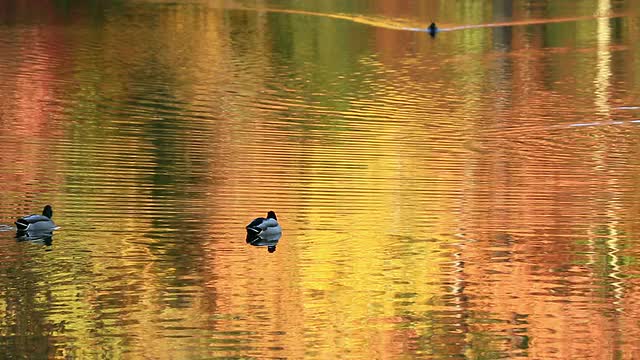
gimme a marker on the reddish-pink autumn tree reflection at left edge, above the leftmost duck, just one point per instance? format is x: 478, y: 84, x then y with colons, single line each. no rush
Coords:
x: 24, y: 114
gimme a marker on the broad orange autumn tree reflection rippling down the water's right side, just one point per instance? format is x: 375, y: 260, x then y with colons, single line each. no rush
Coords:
x: 529, y: 197
